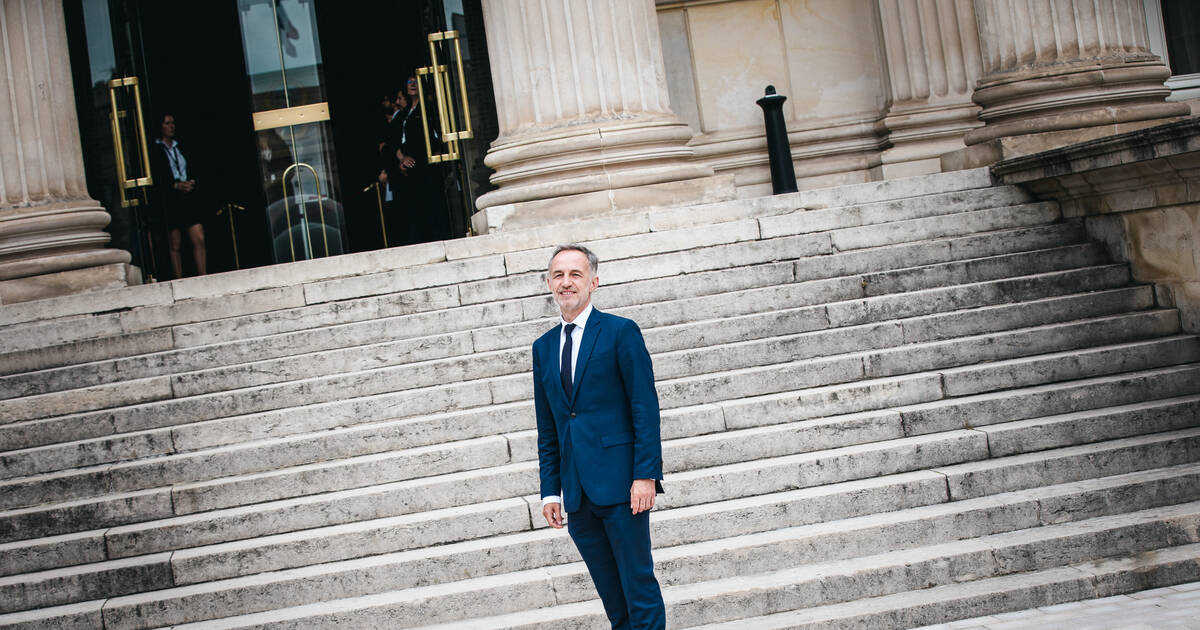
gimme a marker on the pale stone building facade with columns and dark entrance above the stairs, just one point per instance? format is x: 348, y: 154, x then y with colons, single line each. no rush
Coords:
x: 539, y: 111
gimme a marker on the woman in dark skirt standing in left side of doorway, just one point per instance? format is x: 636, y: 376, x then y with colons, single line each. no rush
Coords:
x: 177, y: 199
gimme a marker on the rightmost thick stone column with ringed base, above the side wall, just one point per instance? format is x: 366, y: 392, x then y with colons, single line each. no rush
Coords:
x: 1066, y: 71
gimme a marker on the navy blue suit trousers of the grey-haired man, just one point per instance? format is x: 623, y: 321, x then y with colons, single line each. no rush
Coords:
x: 616, y: 545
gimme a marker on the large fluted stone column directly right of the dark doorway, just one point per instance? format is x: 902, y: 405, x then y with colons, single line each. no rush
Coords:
x: 586, y: 124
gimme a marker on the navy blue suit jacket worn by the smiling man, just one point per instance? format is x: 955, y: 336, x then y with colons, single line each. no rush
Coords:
x: 608, y: 434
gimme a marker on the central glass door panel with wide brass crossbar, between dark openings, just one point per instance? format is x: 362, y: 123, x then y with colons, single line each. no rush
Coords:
x: 292, y: 129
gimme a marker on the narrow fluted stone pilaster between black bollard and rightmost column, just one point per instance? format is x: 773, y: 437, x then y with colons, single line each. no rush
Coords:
x: 933, y: 55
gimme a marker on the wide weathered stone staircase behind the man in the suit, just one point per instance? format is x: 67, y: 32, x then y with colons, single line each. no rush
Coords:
x: 885, y: 406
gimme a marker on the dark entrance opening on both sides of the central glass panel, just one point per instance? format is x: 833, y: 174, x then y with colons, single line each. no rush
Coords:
x: 190, y: 61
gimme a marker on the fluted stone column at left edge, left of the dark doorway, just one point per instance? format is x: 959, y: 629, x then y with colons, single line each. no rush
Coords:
x: 52, y: 238
